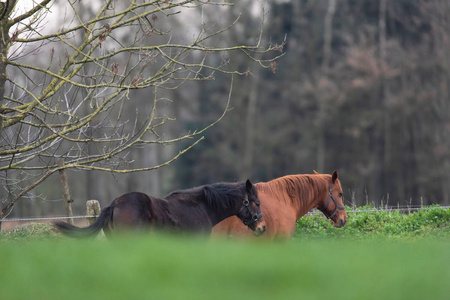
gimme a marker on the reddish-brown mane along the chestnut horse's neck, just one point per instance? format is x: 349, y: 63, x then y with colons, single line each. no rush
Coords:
x: 295, y: 187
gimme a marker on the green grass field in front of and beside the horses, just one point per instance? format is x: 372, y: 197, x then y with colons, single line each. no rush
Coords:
x: 320, y: 262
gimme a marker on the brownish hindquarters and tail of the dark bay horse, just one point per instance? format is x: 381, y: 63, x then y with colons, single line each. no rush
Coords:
x: 131, y: 210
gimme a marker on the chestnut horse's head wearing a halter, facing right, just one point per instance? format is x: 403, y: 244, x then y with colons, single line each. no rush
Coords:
x: 332, y: 205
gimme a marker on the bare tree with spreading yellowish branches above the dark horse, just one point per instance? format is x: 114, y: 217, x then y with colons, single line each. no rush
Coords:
x: 63, y: 89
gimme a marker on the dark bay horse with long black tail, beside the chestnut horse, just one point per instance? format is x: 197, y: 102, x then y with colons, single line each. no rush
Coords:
x: 195, y: 210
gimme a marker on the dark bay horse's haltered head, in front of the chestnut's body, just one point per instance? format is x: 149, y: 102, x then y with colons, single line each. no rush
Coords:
x: 250, y: 210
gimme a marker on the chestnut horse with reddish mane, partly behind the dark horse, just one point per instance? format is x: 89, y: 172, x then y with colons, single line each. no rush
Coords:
x: 286, y: 199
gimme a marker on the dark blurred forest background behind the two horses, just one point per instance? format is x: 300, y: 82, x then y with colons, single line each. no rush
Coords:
x: 363, y: 88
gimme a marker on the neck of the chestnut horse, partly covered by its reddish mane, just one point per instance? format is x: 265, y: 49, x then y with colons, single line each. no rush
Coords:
x: 301, y: 192
